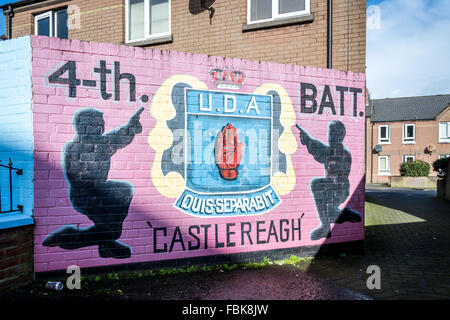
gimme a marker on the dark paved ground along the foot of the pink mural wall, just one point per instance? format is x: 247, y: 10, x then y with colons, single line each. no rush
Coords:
x: 407, y: 236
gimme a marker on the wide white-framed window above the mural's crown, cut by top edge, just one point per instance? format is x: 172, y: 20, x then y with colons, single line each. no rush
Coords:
x: 266, y: 10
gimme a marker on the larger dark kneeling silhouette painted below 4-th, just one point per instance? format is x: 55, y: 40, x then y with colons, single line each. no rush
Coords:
x: 87, y: 161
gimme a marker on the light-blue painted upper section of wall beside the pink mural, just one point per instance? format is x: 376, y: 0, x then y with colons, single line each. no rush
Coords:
x: 16, y: 132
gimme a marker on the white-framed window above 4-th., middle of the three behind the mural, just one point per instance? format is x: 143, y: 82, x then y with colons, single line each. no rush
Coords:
x: 147, y: 19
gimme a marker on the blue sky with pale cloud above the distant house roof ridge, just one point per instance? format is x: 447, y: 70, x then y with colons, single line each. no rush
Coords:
x: 408, y: 47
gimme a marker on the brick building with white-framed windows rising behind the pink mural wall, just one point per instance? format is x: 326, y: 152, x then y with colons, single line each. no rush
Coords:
x: 307, y: 32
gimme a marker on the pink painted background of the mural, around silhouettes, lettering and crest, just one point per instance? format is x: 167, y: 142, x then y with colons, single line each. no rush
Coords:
x: 152, y: 206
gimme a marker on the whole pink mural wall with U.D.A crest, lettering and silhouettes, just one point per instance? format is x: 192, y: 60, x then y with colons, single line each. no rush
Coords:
x: 145, y: 155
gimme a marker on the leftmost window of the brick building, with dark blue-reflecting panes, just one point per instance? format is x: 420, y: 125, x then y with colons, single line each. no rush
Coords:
x: 52, y: 24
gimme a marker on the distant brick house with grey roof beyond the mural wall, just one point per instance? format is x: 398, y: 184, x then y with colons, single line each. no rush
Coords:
x: 403, y: 129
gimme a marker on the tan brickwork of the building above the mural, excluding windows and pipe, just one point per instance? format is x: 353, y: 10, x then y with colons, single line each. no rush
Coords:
x: 303, y: 44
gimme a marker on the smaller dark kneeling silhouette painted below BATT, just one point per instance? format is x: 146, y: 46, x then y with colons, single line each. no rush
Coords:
x: 332, y: 190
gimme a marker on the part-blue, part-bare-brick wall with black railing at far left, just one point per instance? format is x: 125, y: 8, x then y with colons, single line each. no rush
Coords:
x: 16, y: 151
